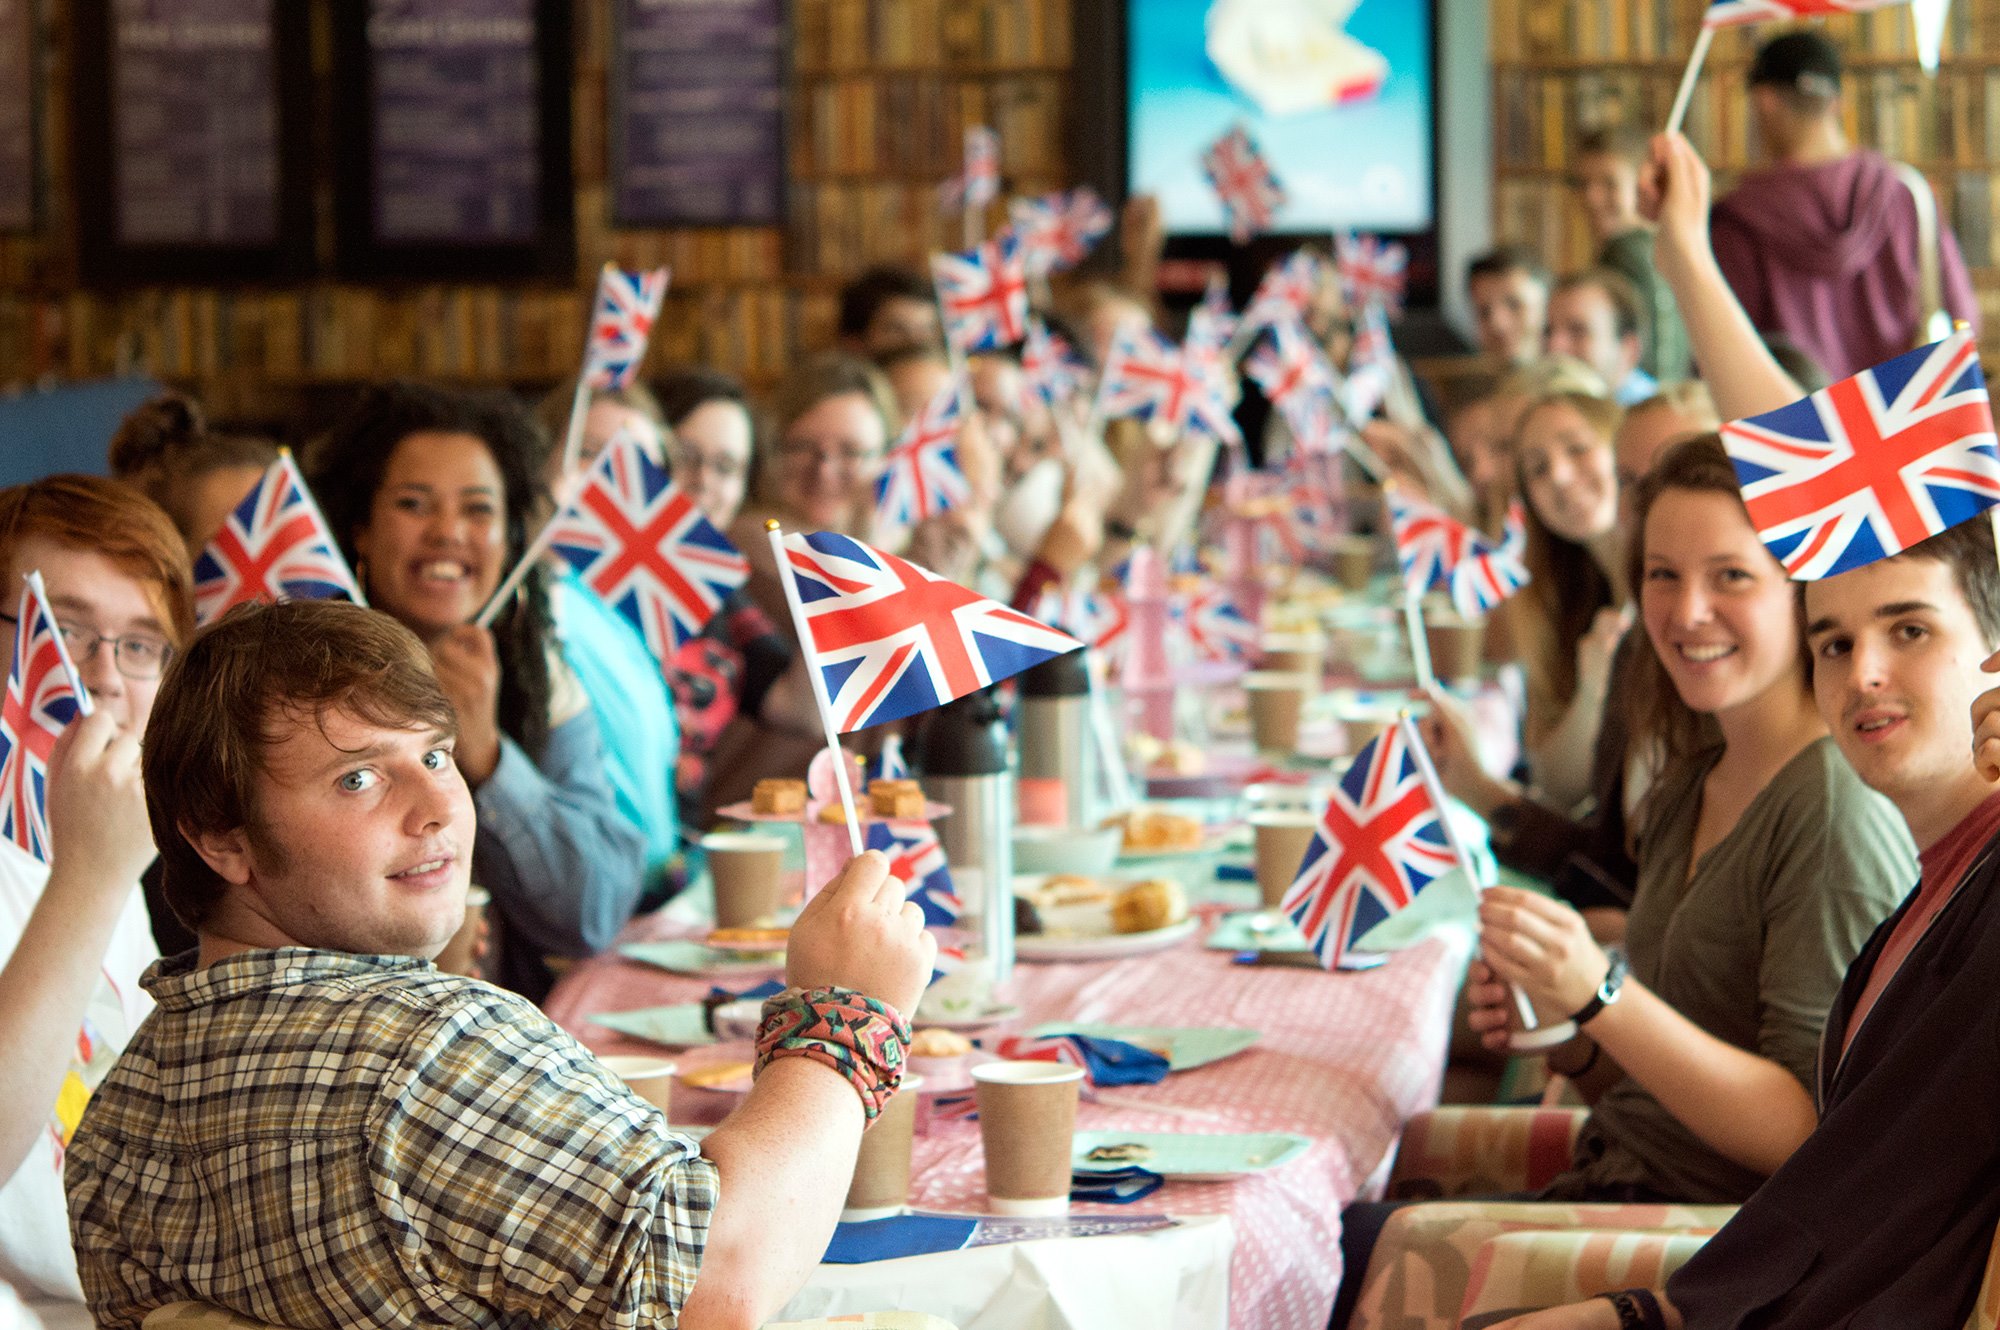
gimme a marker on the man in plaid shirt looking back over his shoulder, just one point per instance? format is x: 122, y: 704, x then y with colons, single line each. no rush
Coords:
x: 319, y: 1129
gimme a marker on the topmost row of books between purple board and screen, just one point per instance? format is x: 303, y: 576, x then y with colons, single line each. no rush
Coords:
x: 875, y: 35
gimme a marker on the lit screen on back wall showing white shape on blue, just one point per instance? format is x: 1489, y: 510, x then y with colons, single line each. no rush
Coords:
x: 1335, y: 93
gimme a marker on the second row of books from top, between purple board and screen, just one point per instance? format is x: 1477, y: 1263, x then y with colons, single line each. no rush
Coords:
x: 913, y: 125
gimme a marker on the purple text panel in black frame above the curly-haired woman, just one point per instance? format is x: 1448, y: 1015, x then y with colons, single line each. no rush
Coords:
x: 457, y: 133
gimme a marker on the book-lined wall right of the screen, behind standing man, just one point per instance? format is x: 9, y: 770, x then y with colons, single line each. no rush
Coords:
x: 1567, y: 67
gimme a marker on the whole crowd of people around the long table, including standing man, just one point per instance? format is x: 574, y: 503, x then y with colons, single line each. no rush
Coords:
x: 1759, y: 809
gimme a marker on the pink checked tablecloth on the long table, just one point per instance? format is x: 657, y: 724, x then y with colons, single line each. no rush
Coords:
x: 1345, y: 1059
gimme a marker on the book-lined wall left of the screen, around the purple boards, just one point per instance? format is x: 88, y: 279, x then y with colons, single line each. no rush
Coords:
x: 881, y: 95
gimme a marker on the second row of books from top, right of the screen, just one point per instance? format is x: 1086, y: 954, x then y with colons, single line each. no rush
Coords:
x: 1951, y: 121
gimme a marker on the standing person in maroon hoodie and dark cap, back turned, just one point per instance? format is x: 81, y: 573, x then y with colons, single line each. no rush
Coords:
x: 1823, y: 243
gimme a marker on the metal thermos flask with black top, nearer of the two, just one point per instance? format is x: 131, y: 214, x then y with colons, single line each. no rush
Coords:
x: 965, y: 761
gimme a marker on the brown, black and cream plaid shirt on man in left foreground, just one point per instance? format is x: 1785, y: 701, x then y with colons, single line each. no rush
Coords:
x: 331, y: 1141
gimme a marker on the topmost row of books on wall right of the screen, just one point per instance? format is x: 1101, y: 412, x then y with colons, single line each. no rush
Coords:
x: 1665, y: 31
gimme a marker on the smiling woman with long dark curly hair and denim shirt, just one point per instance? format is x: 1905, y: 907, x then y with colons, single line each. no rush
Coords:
x: 433, y: 497
